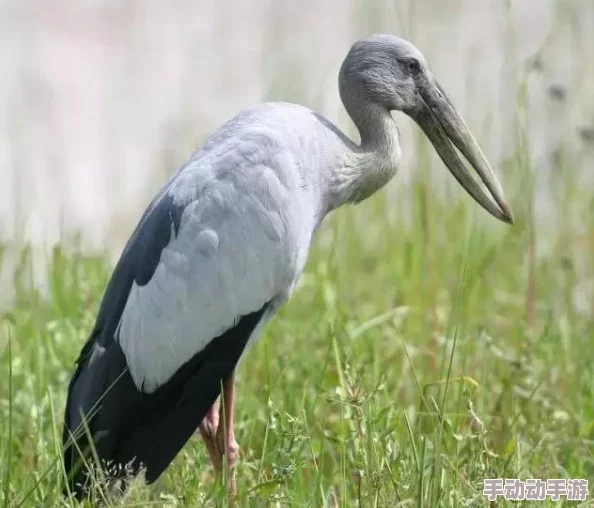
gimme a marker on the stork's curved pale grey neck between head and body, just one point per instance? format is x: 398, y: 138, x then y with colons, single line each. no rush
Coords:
x: 372, y: 164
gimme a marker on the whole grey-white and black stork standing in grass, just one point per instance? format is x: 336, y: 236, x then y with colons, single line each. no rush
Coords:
x: 221, y: 247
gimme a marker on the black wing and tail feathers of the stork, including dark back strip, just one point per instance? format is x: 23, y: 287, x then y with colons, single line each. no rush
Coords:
x: 128, y: 426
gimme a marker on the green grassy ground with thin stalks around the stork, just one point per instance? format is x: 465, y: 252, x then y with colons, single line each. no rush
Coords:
x: 413, y: 361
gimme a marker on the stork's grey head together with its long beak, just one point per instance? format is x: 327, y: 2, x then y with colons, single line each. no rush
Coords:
x: 386, y: 71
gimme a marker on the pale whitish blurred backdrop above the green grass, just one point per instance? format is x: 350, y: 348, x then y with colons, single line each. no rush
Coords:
x: 101, y: 100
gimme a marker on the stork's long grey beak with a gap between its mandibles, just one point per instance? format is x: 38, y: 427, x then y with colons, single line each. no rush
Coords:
x: 447, y: 131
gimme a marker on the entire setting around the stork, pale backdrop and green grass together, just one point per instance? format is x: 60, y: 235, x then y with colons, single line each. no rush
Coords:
x: 100, y: 101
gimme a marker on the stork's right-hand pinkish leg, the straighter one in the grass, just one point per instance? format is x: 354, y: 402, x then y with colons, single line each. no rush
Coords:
x: 225, y: 435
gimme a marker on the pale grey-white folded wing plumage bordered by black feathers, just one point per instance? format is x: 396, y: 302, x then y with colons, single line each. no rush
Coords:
x: 242, y: 242
